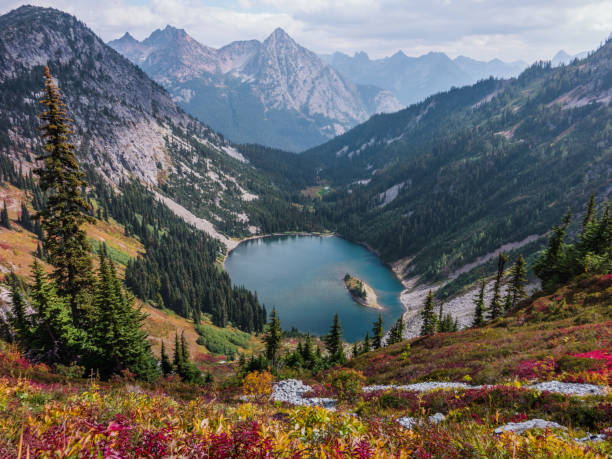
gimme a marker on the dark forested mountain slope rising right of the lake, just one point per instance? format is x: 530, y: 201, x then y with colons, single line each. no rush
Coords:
x: 464, y: 172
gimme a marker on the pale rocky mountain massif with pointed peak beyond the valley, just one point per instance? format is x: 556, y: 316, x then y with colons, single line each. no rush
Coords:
x: 274, y: 92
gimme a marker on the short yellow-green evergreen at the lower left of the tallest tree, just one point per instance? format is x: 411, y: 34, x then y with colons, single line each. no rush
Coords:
x: 54, y: 339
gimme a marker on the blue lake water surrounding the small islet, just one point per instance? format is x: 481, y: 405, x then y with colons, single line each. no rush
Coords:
x: 302, y: 276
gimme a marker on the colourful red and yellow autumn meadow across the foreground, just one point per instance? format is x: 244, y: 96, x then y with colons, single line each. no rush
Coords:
x: 44, y: 414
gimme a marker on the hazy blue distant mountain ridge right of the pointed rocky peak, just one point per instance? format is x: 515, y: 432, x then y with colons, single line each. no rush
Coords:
x: 412, y: 79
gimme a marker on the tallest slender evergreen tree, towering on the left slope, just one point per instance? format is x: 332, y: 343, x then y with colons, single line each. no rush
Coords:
x: 66, y: 210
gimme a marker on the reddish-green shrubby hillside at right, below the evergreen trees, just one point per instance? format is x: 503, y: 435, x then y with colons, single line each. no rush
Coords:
x: 535, y: 342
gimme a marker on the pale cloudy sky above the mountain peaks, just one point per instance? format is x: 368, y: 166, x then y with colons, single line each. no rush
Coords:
x: 482, y: 29
